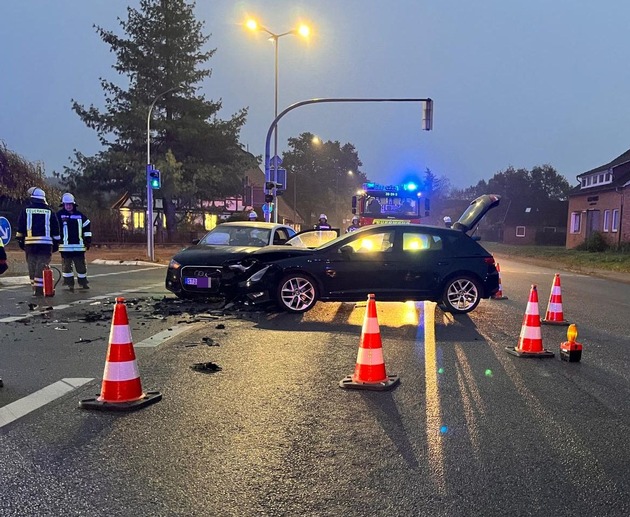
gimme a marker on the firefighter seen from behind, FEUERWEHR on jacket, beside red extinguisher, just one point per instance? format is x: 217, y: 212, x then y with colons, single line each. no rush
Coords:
x: 38, y: 235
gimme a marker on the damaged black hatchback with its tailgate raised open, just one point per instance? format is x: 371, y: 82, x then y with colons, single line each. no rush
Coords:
x: 395, y: 262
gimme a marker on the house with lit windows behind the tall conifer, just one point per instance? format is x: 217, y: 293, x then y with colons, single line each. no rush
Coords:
x: 207, y: 214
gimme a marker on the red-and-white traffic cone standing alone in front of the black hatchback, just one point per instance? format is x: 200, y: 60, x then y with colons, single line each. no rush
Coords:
x: 369, y: 372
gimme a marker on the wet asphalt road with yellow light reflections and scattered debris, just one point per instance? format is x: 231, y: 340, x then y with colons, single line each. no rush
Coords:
x: 470, y: 429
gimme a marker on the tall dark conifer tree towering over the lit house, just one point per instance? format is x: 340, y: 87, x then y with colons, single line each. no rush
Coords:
x: 161, y: 58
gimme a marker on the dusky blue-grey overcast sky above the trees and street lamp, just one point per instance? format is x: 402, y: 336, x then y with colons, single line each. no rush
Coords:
x: 519, y: 83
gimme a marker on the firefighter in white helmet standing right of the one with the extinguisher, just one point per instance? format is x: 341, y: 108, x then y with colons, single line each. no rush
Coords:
x: 76, y: 237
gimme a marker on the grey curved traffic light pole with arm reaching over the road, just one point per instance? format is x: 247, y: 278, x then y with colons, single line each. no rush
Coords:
x: 427, y: 125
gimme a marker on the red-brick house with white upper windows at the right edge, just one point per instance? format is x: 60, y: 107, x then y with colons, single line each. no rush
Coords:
x: 597, y: 204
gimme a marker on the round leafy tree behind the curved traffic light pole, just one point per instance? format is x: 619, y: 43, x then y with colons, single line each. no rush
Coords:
x: 320, y: 174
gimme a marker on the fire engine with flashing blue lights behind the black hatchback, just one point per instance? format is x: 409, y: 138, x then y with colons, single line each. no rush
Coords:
x: 390, y: 204
